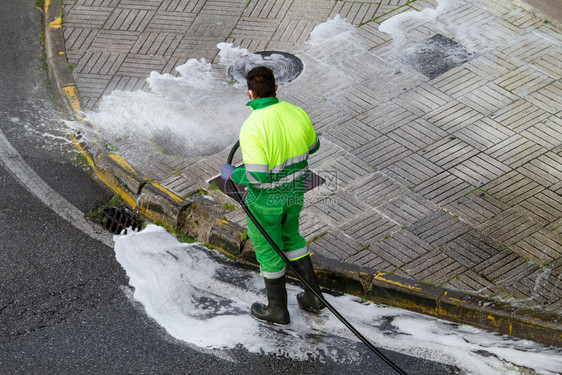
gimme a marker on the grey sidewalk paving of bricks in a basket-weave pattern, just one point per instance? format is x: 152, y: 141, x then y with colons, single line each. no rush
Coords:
x: 455, y: 180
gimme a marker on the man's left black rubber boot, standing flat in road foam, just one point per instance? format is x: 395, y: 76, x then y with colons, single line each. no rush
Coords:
x: 276, y: 310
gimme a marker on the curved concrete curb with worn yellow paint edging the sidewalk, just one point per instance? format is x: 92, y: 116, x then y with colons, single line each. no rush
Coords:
x: 200, y: 218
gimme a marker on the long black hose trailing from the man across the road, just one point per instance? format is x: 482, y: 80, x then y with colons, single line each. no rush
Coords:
x: 240, y: 200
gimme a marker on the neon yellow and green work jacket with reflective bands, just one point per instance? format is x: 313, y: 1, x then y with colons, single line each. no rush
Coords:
x: 276, y: 140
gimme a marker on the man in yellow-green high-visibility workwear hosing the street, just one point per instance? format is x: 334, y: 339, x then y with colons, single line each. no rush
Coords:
x: 276, y: 140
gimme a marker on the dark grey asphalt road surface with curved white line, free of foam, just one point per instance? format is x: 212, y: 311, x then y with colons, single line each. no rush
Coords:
x: 63, y: 308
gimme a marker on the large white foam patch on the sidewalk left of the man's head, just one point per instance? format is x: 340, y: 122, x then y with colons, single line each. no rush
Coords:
x: 190, y: 113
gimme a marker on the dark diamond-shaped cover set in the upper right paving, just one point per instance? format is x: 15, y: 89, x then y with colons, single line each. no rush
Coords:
x: 434, y: 56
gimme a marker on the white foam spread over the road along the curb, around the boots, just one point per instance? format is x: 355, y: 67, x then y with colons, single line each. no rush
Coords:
x: 205, y: 302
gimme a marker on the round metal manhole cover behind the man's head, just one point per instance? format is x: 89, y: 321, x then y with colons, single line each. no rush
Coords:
x: 285, y: 67
